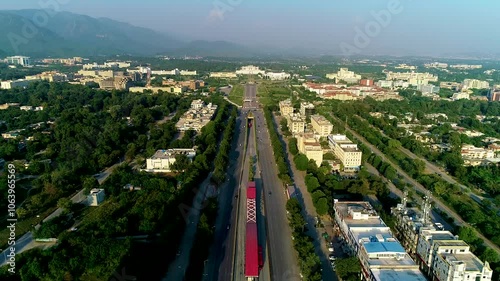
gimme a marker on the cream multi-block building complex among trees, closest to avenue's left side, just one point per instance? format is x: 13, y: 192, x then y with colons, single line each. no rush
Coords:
x: 197, y: 117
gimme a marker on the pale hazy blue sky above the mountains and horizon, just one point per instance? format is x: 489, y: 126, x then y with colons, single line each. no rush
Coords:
x: 415, y: 26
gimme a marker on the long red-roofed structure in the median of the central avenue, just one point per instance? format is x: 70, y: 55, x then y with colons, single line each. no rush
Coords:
x: 251, y: 239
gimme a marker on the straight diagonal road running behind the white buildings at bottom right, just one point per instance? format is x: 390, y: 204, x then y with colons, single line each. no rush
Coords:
x: 438, y: 203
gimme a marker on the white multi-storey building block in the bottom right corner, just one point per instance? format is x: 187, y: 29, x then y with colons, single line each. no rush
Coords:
x: 445, y: 258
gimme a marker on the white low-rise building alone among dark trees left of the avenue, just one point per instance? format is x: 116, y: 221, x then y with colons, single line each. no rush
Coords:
x: 162, y: 160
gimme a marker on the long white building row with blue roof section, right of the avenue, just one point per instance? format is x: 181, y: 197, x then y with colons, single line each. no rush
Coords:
x: 367, y: 236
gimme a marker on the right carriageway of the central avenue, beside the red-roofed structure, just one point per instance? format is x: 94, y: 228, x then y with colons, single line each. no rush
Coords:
x: 282, y: 255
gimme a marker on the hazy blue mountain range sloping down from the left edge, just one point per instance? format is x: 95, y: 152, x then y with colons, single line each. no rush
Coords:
x: 62, y: 34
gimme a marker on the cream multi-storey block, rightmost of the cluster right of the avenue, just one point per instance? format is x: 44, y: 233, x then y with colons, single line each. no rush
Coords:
x: 347, y: 151
